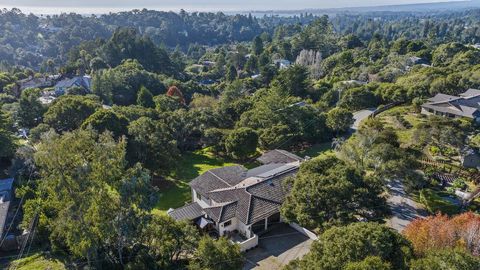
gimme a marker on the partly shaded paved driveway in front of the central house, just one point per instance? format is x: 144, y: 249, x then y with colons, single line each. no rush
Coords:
x: 277, y: 248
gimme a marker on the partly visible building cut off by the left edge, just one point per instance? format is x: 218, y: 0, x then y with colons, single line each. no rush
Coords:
x: 5, y: 199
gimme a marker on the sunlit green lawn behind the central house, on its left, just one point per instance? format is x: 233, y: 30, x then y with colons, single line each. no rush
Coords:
x: 191, y: 165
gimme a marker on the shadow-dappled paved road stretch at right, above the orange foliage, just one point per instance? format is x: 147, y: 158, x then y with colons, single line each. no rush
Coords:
x: 404, y: 209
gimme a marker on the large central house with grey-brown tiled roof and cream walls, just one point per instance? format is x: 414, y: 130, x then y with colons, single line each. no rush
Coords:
x: 241, y: 203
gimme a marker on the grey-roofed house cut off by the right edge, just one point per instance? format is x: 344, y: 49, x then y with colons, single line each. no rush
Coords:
x: 466, y: 105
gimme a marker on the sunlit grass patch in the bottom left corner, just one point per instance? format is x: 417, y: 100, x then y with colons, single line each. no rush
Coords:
x: 37, y: 261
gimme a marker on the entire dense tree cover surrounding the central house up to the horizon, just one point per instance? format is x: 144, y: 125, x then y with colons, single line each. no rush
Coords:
x: 98, y: 163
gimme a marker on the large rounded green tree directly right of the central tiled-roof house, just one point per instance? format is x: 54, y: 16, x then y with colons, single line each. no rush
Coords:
x: 327, y: 192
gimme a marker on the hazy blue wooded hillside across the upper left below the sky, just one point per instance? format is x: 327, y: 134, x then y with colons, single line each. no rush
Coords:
x: 30, y: 40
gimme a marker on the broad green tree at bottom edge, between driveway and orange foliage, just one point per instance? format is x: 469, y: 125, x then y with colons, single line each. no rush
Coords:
x: 354, y: 245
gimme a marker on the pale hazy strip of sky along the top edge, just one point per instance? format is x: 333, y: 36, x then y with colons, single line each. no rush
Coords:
x: 105, y: 6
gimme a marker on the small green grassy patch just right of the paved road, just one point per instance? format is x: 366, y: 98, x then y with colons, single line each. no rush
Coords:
x: 434, y: 202
